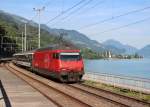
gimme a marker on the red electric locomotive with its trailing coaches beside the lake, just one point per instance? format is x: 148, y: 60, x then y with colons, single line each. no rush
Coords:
x: 64, y: 64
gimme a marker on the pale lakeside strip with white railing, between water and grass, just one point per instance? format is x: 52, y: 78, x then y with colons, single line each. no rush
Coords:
x: 136, y: 84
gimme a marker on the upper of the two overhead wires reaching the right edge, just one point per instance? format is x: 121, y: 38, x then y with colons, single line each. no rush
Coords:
x: 114, y: 17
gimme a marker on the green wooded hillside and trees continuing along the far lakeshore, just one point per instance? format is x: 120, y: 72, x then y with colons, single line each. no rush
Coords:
x: 12, y: 26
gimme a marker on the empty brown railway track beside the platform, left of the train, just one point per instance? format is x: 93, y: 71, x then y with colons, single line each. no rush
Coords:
x: 56, y: 96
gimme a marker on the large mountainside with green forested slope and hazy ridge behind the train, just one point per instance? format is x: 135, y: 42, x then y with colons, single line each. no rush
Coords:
x: 12, y: 26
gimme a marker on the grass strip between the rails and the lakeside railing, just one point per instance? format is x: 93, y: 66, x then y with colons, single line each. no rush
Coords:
x: 118, y: 90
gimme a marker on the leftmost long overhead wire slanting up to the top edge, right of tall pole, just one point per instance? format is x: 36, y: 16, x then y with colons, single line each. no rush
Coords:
x: 65, y: 11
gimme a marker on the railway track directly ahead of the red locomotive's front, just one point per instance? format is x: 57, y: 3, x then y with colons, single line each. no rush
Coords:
x: 132, y: 102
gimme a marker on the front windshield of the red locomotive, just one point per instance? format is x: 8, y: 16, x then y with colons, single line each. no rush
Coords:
x: 70, y: 56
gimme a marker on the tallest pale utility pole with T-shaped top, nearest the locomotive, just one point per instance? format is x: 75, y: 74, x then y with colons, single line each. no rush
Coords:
x: 39, y: 10
